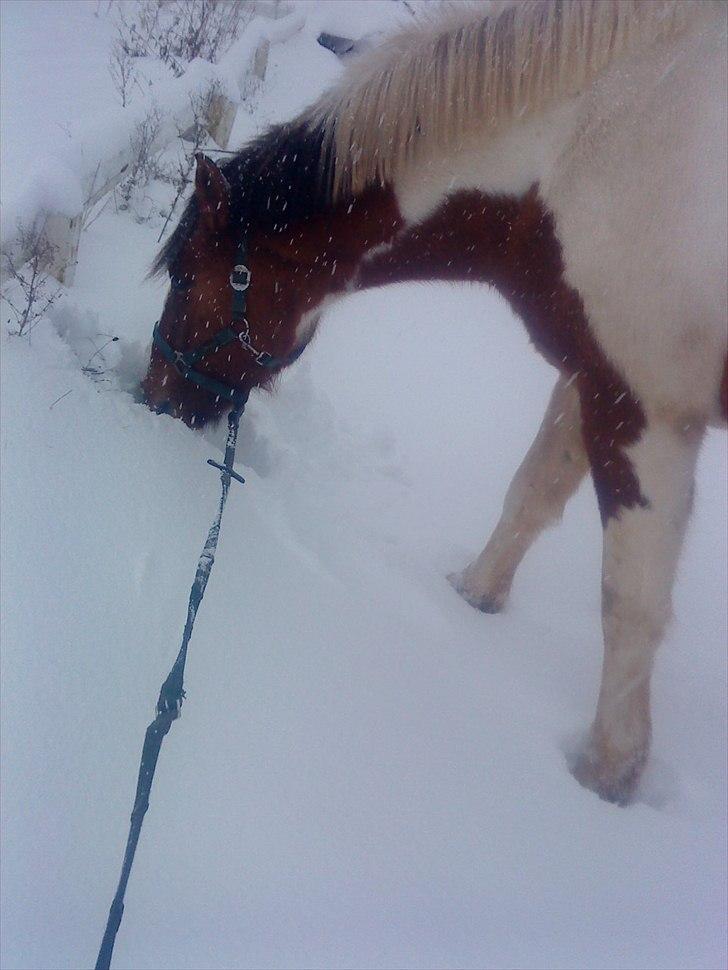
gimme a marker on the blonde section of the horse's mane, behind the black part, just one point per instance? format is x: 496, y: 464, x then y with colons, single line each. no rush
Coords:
x: 471, y: 70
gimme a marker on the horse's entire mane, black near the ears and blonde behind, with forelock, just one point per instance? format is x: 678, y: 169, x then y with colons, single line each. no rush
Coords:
x: 472, y: 68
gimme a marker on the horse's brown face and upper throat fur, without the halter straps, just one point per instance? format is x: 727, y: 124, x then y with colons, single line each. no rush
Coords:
x: 292, y: 269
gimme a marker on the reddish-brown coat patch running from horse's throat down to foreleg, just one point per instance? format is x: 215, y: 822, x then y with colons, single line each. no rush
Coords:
x: 511, y: 243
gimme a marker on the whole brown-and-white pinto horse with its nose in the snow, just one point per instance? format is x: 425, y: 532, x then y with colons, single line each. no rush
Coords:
x: 572, y: 155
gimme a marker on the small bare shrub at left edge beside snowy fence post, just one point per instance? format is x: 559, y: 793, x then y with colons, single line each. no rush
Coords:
x: 32, y: 293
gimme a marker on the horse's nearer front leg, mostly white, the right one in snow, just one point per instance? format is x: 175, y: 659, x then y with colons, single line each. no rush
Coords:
x: 642, y: 542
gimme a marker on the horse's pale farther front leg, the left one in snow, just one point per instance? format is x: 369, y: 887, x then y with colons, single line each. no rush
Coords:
x: 549, y: 474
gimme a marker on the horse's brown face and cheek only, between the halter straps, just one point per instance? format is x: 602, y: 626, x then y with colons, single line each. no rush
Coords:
x: 199, y: 305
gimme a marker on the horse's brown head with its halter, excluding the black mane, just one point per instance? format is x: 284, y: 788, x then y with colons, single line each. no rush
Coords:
x: 231, y: 315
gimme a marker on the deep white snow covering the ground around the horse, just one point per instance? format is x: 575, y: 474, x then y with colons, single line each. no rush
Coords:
x: 367, y: 773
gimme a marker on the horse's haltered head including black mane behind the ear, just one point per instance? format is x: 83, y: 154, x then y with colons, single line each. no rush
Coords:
x: 261, y: 245
